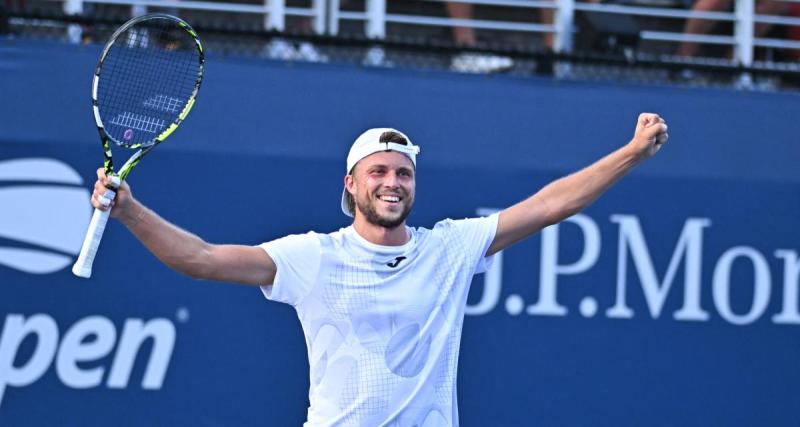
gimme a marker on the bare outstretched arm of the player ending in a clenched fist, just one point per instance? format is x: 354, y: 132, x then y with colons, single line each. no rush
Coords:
x: 569, y: 195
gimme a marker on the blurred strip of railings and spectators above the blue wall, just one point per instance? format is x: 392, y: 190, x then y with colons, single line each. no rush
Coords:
x: 745, y: 44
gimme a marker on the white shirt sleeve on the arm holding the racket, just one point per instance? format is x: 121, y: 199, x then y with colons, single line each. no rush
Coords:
x: 297, y: 258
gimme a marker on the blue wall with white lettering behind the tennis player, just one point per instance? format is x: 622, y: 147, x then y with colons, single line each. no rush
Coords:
x: 721, y: 200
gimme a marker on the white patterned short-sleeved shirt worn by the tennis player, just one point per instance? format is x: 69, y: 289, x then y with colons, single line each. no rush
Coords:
x: 382, y: 323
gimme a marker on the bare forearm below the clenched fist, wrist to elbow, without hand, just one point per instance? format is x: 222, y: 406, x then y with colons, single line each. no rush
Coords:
x: 573, y: 193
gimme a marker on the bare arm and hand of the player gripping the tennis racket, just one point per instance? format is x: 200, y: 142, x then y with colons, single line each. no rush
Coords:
x: 181, y: 250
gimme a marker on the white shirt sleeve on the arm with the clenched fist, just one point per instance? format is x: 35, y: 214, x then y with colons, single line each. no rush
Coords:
x: 475, y: 236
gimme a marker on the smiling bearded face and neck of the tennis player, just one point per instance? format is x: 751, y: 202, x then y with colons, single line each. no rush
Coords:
x: 383, y: 185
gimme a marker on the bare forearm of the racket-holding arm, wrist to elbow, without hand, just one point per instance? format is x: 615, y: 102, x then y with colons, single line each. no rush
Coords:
x: 175, y: 247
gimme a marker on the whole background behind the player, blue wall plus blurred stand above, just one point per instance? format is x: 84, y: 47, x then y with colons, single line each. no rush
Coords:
x: 674, y: 300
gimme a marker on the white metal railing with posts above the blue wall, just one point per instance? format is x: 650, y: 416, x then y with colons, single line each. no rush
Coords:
x: 327, y: 16
